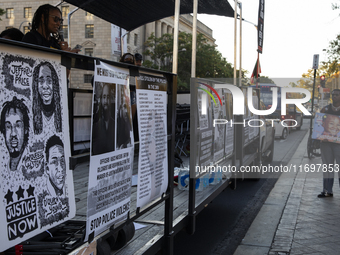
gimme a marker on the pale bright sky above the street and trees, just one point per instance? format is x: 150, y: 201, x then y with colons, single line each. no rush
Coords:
x: 294, y: 30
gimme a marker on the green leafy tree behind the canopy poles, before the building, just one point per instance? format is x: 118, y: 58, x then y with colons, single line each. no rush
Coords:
x: 209, y: 61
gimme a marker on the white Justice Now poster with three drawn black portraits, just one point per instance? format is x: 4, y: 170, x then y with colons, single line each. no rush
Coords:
x: 36, y: 183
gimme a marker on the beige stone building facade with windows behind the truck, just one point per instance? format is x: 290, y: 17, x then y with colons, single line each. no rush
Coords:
x: 93, y: 33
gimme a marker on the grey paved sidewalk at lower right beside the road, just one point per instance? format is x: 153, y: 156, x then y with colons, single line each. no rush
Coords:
x: 293, y: 220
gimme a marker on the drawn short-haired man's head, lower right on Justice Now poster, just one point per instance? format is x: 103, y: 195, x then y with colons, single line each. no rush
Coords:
x: 55, y: 166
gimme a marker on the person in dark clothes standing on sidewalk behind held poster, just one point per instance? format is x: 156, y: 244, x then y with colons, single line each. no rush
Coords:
x: 330, y: 152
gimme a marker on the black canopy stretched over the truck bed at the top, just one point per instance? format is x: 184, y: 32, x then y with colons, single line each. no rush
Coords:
x: 130, y: 14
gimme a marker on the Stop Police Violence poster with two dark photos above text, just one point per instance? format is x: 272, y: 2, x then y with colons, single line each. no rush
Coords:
x: 112, y: 146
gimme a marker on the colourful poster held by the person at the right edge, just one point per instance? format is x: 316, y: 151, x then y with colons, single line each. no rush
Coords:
x: 326, y: 127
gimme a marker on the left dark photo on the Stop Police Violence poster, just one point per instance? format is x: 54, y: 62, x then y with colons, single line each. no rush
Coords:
x: 103, y: 131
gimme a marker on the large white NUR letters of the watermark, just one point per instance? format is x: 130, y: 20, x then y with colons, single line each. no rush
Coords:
x: 238, y: 100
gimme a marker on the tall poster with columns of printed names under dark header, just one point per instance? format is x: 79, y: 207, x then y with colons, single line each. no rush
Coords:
x: 151, y: 95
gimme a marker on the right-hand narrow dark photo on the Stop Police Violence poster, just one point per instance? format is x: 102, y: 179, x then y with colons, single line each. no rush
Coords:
x: 124, y: 125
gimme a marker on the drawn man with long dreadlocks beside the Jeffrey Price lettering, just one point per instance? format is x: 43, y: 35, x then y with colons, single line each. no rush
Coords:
x: 46, y: 99
